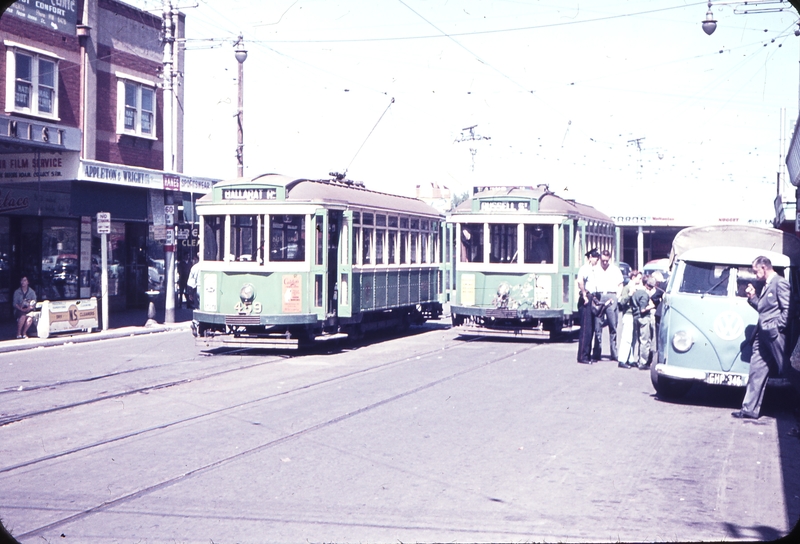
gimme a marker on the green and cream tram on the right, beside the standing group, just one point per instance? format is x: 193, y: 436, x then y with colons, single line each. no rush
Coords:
x: 517, y: 254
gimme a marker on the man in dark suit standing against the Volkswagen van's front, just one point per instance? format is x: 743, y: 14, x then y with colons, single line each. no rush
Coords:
x: 769, y: 340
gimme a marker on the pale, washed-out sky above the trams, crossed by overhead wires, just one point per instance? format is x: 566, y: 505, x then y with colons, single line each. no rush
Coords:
x: 627, y: 106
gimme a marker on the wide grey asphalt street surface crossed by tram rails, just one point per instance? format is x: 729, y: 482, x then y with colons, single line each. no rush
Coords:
x: 414, y: 439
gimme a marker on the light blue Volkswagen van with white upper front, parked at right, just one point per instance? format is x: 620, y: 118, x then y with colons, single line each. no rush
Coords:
x: 707, y: 325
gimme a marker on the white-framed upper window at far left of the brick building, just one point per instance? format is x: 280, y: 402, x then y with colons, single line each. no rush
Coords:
x: 31, y: 81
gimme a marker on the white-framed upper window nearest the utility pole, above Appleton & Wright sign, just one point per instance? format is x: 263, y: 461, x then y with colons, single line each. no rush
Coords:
x: 136, y: 107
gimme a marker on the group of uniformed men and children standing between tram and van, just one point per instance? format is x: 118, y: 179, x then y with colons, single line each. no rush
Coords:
x: 630, y: 311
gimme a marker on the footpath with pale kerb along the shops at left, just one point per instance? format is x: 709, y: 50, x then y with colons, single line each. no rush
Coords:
x: 120, y: 324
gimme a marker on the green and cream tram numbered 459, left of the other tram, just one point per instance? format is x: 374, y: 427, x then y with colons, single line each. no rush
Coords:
x: 288, y: 262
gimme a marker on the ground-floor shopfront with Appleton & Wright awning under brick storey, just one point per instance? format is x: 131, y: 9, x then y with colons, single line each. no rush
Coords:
x: 48, y: 227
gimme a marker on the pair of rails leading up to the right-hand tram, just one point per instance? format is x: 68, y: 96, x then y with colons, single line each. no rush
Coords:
x: 211, y: 466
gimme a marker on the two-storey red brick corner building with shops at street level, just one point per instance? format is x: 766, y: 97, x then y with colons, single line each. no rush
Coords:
x: 81, y: 131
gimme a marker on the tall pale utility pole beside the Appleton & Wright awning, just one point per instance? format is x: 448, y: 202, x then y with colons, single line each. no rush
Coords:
x: 169, y: 157
